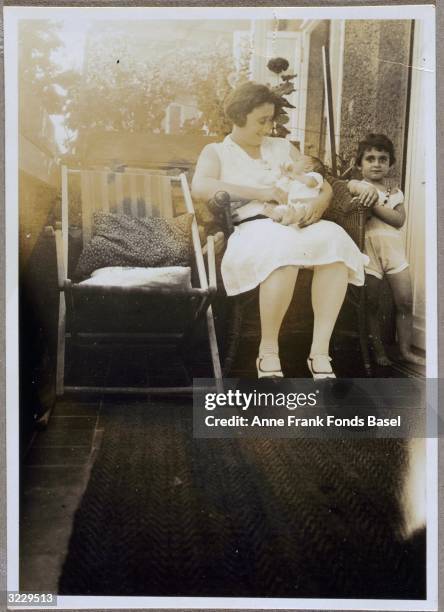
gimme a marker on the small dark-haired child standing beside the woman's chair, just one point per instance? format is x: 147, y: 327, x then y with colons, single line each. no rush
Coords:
x: 384, y: 245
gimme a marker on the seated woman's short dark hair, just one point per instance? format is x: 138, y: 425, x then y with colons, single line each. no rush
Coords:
x: 241, y: 101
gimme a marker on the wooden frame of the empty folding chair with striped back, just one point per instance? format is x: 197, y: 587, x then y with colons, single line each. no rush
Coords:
x: 202, y: 294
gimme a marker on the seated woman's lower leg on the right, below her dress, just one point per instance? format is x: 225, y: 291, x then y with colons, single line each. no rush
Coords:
x: 328, y: 290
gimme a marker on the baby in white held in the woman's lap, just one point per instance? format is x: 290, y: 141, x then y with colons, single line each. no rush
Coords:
x: 302, y: 183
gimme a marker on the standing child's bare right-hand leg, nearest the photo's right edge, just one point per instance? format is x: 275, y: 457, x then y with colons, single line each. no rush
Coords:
x: 401, y: 287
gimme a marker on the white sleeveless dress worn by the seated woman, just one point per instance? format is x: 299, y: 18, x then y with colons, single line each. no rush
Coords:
x: 257, y: 248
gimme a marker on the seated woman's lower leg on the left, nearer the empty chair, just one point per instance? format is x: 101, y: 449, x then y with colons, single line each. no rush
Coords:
x: 275, y: 295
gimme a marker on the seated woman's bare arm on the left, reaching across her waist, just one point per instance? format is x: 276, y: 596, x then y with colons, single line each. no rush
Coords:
x: 206, y: 182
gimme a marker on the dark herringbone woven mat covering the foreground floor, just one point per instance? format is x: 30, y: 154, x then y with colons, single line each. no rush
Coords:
x: 166, y: 514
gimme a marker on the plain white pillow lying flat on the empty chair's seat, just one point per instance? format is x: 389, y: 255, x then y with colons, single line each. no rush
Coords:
x: 118, y: 276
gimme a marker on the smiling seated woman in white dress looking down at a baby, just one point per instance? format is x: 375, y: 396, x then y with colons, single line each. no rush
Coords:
x: 269, y: 254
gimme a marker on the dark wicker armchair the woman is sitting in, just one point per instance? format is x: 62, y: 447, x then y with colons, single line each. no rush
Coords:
x: 349, y: 215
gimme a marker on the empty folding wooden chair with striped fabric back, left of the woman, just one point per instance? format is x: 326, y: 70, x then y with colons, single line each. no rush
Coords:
x: 140, y: 193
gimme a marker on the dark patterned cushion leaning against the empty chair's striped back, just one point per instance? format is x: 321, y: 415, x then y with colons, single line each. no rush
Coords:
x: 121, y: 240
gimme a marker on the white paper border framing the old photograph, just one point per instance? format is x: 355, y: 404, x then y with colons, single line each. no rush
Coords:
x: 12, y: 15
